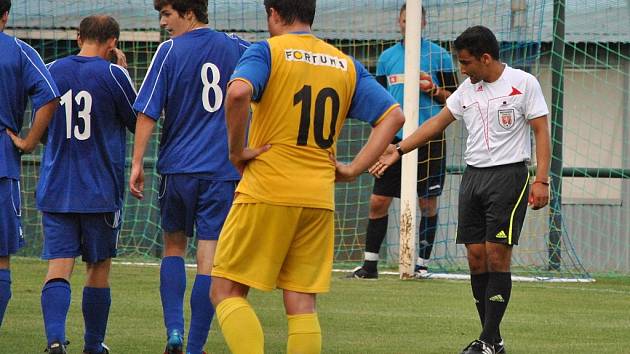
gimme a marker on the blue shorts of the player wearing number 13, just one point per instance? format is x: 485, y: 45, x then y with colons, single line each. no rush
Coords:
x: 94, y: 236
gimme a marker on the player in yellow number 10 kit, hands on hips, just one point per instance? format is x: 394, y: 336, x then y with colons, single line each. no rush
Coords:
x: 280, y: 232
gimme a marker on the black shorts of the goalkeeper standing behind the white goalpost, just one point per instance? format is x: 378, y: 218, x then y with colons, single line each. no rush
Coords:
x: 431, y: 171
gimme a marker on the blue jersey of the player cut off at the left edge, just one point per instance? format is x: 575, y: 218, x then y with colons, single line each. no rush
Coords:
x: 22, y: 74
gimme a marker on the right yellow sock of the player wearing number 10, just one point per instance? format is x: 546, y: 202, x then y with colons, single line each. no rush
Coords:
x: 305, y: 335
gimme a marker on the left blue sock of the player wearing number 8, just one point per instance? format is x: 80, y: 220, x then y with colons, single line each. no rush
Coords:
x: 172, y: 289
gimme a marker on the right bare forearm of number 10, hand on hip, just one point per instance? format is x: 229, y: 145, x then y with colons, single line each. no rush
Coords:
x: 378, y: 140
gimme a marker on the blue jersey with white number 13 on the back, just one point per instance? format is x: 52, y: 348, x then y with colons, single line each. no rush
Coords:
x: 83, y: 168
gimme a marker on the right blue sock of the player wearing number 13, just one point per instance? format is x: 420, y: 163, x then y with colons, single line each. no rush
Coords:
x: 96, y: 302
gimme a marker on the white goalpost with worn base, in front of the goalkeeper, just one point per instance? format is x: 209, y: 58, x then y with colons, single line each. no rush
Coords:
x: 409, y: 175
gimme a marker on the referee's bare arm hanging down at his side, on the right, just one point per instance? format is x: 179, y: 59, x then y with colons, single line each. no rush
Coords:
x: 539, y: 191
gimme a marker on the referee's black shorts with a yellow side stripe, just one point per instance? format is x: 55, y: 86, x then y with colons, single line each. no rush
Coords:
x: 492, y: 204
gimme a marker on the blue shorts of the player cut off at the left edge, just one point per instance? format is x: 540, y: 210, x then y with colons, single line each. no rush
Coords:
x: 11, y: 238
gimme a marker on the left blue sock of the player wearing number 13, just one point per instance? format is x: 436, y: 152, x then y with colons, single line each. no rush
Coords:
x: 55, y: 305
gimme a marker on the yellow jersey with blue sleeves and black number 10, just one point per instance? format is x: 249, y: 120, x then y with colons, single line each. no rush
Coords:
x: 303, y: 90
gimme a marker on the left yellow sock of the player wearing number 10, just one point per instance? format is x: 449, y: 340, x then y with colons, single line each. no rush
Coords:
x: 240, y: 326
